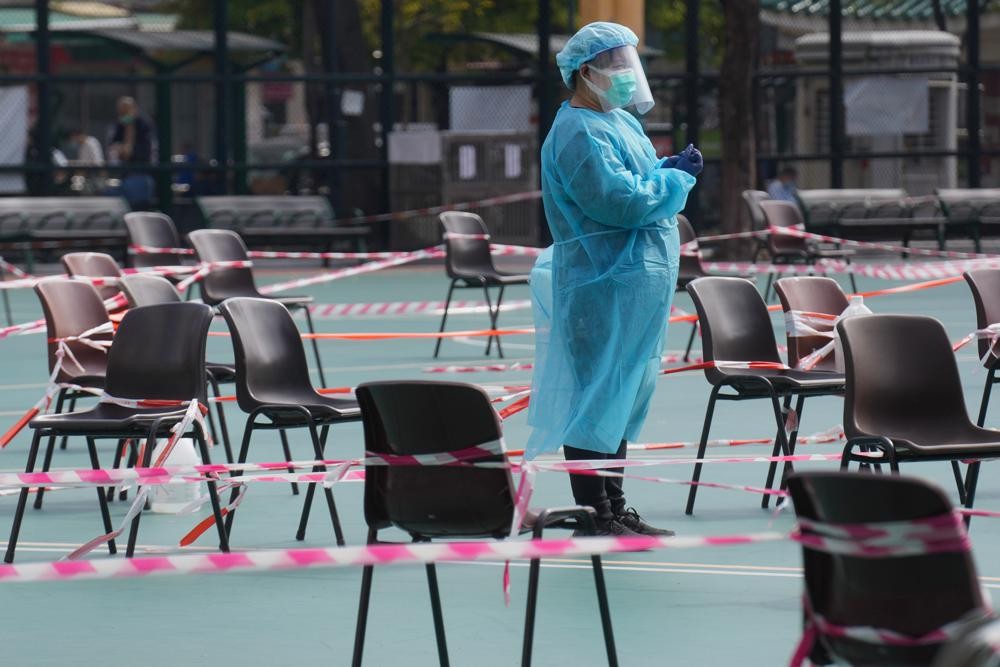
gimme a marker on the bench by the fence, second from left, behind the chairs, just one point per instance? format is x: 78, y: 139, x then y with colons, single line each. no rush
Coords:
x: 281, y: 220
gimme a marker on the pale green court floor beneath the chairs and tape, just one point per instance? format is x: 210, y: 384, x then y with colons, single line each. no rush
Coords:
x: 733, y: 605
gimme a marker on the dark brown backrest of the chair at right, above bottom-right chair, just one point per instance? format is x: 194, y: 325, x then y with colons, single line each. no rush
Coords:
x: 902, y: 378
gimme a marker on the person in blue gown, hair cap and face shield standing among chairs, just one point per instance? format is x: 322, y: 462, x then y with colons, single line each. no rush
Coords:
x: 602, y: 293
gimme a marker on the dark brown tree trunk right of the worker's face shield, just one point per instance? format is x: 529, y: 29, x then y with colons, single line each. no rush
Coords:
x: 736, y: 99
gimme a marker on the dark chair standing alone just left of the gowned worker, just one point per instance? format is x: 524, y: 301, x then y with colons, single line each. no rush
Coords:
x: 469, y: 265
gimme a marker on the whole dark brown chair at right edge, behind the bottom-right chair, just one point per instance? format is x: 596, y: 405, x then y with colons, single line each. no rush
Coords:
x: 904, y: 397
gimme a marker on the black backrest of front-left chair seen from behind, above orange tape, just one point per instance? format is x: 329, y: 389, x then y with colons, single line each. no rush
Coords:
x: 159, y: 353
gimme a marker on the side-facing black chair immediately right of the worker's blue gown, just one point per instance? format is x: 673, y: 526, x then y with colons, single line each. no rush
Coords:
x: 735, y: 326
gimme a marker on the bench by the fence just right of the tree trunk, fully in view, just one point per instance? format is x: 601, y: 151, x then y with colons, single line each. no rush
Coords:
x: 870, y: 214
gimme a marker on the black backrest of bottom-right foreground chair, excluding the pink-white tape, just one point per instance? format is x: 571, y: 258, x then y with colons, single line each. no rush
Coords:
x: 911, y: 595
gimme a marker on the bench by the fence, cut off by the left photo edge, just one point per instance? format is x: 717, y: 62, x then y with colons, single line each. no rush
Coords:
x: 26, y: 222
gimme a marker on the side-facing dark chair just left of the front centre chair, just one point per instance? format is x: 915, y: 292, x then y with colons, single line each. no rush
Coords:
x: 272, y: 381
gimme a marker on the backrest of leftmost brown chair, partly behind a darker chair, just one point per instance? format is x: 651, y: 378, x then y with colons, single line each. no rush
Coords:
x: 71, y: 308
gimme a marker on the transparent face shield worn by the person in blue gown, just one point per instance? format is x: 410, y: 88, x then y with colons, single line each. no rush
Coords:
x: 617, y: 79
